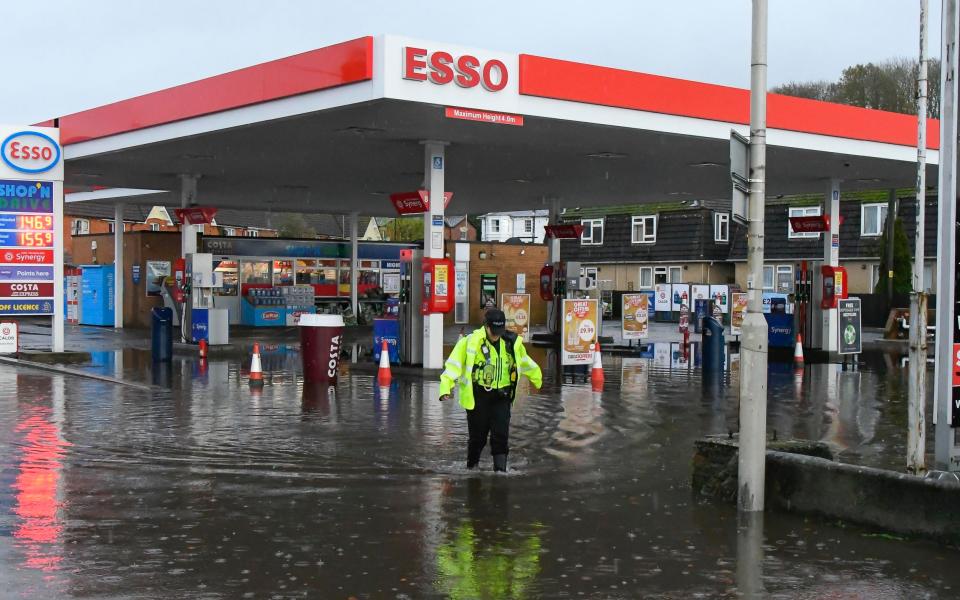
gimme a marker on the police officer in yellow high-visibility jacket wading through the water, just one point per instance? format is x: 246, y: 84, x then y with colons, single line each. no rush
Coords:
x: 485, y: 365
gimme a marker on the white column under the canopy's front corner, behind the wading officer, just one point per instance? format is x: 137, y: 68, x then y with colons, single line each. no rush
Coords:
x: 435, y: 164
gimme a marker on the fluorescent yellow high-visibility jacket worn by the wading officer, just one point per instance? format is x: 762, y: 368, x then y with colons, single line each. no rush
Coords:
x: 475, y: 360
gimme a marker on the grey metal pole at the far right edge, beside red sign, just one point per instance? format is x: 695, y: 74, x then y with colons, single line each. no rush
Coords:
x: 946, y: 250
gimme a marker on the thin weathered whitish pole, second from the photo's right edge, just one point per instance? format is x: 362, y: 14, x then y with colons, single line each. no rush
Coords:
x: 917, y: 397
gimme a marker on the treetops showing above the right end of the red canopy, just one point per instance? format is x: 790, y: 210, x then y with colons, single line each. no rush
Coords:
x: 890, y: 85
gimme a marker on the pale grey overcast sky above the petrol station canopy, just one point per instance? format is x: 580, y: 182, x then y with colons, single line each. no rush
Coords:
x: 91, y: 52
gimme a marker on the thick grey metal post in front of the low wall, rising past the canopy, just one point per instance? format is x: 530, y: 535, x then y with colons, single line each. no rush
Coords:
x: 753, y: 350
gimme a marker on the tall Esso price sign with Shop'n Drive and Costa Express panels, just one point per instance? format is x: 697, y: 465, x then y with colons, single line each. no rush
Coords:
x: 31, y: 232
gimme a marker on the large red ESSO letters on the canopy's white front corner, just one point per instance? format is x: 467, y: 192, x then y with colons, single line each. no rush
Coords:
x: 442, y: 68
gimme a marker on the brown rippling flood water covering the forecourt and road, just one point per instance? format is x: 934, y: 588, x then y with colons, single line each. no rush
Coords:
x: 208, y: 490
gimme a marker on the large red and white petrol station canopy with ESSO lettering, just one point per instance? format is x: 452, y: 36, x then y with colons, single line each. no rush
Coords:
x: 340, y: 128
